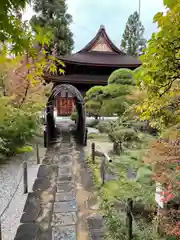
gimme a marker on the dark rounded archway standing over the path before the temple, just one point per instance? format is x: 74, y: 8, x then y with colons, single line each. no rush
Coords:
x: 81, y: 113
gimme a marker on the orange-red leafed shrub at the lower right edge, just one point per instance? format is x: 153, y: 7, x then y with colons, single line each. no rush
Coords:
x: 164, y: 156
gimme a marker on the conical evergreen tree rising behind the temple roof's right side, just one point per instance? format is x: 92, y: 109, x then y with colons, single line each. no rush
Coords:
x: 133, y: 41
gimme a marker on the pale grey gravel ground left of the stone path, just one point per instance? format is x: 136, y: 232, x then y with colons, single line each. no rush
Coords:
x: 10, y: 177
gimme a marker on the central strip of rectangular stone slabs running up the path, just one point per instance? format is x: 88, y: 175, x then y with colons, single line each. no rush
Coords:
x: 65, y: 207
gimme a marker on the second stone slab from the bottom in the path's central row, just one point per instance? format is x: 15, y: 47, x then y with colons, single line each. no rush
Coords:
x: 60, y: 219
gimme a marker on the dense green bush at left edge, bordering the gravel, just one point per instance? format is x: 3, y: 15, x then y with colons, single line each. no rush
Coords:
x: 17, y: 126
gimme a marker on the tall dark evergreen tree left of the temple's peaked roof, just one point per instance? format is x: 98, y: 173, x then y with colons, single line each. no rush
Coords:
x: 52, y: 14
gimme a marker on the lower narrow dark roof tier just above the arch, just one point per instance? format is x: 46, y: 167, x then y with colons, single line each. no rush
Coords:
x: 78, y: 78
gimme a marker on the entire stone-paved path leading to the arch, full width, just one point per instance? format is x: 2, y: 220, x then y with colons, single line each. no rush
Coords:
x: 58, y: 208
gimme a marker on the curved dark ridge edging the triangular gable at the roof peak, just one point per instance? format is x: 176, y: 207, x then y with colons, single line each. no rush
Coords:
x: 101, y: 32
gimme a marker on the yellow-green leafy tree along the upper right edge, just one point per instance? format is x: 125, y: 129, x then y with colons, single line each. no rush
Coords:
x: 160, y: 71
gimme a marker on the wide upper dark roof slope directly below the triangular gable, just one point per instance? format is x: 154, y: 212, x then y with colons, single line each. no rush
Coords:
x: 102, y: 59
